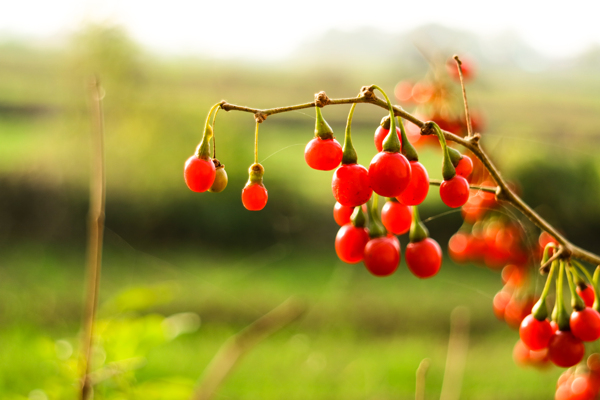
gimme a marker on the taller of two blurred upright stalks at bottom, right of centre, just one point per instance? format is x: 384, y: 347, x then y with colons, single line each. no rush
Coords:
x: 458, y: 345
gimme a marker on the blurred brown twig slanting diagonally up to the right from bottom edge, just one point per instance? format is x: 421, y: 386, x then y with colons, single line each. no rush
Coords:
x: 241, y: 343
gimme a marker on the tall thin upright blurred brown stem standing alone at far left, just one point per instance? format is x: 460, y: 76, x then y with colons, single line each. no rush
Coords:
x: 95, y: 235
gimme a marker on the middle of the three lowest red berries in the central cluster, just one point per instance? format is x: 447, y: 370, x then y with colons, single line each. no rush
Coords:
x: 382, y: 255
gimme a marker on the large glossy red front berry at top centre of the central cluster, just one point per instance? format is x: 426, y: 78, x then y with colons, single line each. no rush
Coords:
x: 389, y: 174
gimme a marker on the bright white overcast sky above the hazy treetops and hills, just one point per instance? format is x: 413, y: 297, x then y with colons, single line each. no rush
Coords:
x: 270, y: 29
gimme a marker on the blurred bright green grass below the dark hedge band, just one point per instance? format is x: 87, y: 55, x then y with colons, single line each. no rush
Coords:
x: 362, y: 337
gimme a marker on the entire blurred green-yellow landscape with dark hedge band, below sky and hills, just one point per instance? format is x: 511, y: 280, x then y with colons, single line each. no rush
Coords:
x: 170, y: 251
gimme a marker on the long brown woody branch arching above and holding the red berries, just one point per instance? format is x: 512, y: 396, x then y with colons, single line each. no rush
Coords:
x: 503, y: 192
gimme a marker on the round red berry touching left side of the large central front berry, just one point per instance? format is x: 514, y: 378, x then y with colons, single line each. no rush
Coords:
x: 350, y: 185
